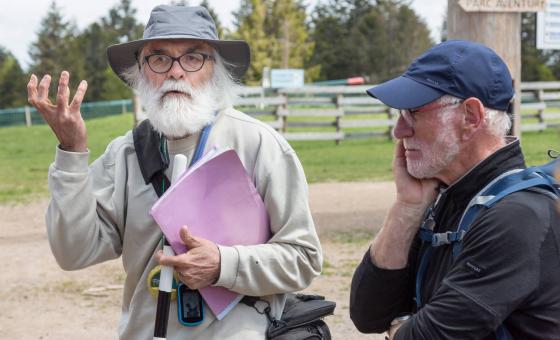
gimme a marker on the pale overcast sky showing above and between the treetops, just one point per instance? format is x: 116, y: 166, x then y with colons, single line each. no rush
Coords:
x: 20, y: 19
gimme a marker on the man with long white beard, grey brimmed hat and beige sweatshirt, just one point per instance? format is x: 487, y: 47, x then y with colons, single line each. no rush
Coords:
x: 185, y: 77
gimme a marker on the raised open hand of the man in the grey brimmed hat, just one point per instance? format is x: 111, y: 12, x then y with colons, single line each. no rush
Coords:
x: 64, y: 119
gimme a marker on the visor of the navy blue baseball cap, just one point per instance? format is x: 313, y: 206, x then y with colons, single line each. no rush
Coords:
x: 404, y: 93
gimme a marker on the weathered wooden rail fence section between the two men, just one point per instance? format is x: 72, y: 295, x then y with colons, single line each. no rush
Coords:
x: 319, y: 112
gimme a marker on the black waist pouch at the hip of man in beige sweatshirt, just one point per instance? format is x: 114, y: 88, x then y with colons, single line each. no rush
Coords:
x: 301, y: 318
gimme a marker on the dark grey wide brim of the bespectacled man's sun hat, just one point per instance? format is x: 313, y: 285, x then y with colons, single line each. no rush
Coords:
x: 236, y: 53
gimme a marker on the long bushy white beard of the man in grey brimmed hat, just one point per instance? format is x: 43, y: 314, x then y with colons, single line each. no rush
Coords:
x: 177, y: 116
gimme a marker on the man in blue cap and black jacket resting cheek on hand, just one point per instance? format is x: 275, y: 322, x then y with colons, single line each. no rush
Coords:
x: 504, y: 282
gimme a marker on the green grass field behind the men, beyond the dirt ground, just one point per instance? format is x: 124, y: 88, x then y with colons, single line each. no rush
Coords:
x: 25, y: 154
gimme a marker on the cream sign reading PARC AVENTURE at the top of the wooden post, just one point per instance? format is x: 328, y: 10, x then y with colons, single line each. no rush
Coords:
x: 502, y: 5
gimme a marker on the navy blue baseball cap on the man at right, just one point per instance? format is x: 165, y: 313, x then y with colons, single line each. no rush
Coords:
x: 460, y: 68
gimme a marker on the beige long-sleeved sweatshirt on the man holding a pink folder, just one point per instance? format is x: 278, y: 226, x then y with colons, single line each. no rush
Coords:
x: 100, y: 212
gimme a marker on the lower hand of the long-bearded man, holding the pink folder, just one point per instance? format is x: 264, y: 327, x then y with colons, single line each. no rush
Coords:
x: 199, y: 267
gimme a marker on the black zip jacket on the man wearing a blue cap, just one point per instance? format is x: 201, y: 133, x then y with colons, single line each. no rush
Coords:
x: 507, y: 272
